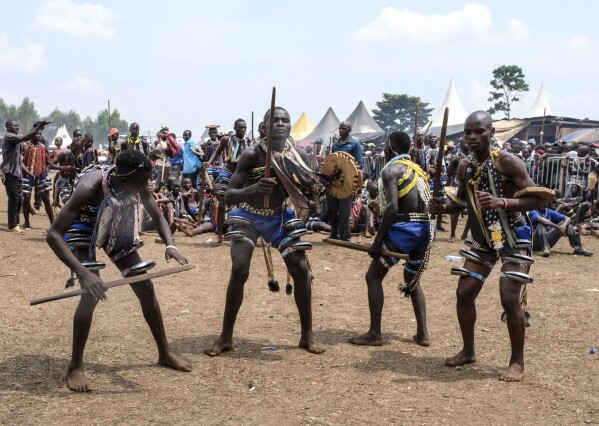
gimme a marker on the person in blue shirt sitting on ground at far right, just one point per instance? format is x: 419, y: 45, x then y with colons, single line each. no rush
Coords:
x: 548, y: 227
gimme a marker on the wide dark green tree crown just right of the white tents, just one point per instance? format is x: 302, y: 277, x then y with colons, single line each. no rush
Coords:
x: 398, y: 112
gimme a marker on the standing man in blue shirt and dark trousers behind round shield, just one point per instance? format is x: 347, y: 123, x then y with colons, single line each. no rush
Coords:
x: 340, y: 210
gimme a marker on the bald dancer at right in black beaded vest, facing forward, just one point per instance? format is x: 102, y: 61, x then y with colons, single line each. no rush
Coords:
x: 489, y: 187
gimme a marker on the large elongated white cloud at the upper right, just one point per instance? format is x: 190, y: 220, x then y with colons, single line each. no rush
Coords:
x: 395, y: 24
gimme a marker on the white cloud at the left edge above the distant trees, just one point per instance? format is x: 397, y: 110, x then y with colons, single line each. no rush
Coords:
x: 29, y: 58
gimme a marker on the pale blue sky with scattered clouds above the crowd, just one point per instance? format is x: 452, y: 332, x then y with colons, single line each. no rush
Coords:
x: 186, y: 64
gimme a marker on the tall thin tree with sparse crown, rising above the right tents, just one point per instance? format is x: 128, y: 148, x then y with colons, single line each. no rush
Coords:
x: 508, y: 82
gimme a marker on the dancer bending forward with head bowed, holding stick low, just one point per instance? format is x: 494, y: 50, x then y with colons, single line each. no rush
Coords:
x: 116, y: 192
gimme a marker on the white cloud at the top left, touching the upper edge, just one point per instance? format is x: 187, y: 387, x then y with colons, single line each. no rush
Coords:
x: 79, y: 20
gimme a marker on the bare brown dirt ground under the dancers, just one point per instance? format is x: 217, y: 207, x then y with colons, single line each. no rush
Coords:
x: 398, y: 383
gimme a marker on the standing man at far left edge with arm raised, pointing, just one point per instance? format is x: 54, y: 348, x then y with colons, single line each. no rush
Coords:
x: 11, y: 169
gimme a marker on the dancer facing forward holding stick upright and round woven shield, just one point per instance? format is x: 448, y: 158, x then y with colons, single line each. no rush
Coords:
x: 247, y: 189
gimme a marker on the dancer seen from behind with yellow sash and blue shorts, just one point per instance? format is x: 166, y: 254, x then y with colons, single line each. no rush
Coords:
x: 405, y: 228
